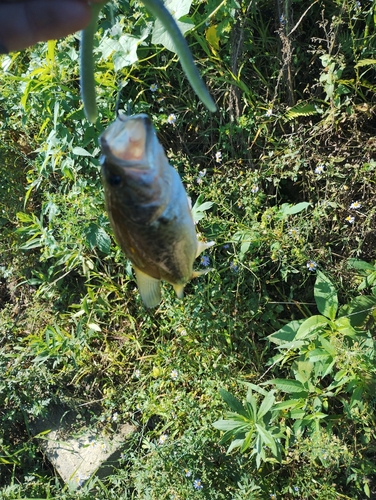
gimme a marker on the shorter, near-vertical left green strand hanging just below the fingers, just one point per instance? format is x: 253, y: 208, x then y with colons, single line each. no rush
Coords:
x: 87, y: 64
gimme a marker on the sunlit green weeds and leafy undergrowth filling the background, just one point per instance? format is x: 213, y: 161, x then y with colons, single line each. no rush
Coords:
x: 261, y: 383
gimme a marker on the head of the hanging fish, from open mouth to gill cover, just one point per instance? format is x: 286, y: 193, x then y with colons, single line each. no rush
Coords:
x: 135, y: 169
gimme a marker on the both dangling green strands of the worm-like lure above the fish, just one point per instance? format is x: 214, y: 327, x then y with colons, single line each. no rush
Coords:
x: 159, y: 11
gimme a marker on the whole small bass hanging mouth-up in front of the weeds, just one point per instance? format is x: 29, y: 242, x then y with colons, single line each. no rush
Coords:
x: 148, y: 208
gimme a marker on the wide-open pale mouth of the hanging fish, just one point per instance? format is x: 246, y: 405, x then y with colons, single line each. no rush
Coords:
x: 126, y: 140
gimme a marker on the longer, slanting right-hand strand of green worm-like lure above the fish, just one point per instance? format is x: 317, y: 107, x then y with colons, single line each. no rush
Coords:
x: 159, y: 11
